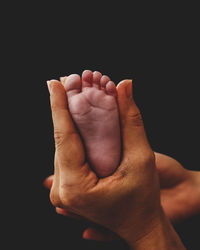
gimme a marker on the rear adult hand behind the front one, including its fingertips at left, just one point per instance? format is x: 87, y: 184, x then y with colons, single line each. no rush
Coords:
x: 180, y: 192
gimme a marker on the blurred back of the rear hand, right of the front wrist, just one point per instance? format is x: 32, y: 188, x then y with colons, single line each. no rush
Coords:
x: 180, y: 189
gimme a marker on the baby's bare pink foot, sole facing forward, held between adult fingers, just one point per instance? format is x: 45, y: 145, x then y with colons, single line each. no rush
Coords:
x: 93, y: 106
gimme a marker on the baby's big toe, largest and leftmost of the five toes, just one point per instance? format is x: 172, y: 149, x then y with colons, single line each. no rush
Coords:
x: 72, y: 85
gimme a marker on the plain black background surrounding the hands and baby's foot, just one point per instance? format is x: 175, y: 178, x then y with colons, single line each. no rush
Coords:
x: 157, y: 45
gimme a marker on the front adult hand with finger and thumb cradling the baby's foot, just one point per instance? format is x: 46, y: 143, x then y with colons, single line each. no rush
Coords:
x: 127, y: 202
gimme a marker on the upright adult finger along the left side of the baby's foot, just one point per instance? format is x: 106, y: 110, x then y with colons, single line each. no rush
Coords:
x: 67, y: 140
